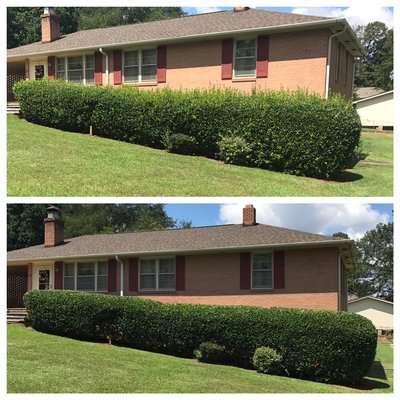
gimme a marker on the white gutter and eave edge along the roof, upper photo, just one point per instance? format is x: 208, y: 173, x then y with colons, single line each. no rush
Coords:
x: 278, y: 28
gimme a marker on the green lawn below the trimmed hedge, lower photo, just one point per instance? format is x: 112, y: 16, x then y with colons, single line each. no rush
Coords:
x: 41, y: 363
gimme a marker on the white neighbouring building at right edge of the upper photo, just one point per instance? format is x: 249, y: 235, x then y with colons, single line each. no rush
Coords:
x: 376, y: 111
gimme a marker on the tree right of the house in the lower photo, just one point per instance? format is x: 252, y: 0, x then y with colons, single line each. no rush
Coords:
x: 373, y: 274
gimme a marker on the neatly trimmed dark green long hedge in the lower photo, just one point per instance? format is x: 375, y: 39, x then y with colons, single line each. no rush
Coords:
x: 324, y: 346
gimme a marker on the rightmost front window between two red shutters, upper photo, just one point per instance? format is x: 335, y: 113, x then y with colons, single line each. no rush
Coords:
x: 245, y: 58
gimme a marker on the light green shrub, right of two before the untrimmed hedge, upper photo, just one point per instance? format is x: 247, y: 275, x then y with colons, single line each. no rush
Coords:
x: 234, y: 150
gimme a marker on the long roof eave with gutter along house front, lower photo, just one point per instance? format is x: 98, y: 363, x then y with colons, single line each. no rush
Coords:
x: 346, y: 243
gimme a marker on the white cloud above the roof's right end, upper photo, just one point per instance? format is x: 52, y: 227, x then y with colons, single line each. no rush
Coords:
x: 357, y: 14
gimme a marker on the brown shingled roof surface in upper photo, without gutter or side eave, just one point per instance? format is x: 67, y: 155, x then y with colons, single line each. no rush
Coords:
x: 165, y: 30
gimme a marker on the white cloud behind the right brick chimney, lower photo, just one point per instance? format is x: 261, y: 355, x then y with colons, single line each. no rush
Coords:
x: 353, y: 219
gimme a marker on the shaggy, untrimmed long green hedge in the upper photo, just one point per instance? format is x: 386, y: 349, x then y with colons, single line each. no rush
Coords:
x: 293, y: 132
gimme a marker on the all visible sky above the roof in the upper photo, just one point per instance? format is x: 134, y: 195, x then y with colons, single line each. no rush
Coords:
x: 359, y: 13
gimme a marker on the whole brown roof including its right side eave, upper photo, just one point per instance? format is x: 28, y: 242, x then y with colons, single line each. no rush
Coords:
x: 216, y: 24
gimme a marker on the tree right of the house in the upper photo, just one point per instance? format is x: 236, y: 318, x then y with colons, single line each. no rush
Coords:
x: 376, y: 68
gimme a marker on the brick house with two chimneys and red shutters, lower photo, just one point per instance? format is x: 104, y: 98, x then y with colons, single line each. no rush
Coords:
x: 243, y: 264
